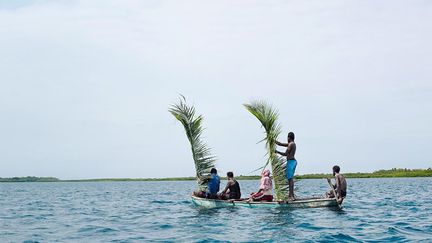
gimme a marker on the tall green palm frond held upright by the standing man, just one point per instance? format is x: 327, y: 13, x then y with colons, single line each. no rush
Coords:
x: 268, y: 117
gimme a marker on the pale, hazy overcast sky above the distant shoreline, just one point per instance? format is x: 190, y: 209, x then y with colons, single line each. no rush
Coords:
x: 85, y: 86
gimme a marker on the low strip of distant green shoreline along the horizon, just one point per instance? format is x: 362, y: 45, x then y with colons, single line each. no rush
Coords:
x: 392, y: 173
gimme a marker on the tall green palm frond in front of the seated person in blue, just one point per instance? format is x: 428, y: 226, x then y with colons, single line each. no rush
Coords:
x: 192, y: 124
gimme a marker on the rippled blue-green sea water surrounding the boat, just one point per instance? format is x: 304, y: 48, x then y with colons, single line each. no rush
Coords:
x: 376, y: 210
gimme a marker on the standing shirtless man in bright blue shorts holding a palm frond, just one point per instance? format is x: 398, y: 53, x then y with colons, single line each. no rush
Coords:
x: 291, y: 162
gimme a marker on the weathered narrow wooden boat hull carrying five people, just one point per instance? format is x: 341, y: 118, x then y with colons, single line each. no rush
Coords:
x: 299, y: 203
